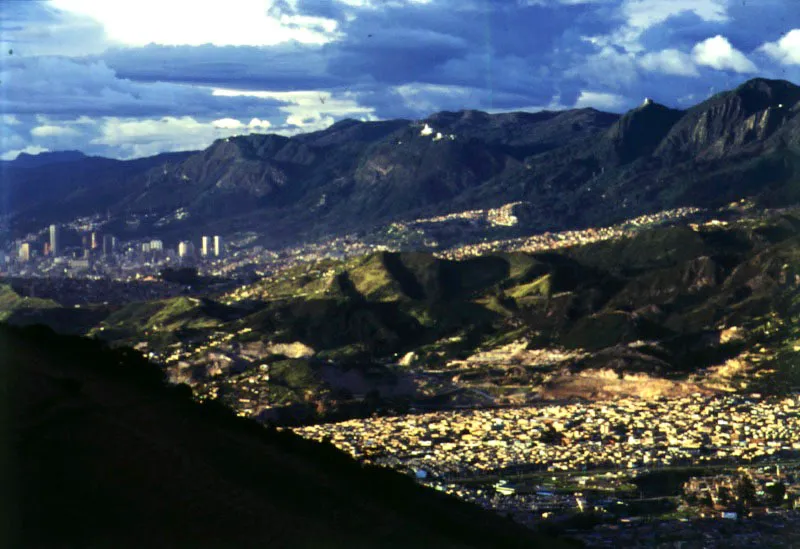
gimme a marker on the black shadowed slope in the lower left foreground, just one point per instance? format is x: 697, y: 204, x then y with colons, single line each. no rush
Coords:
x: 105, y: 455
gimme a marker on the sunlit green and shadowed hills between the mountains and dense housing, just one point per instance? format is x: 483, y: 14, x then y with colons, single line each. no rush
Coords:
x: 711, y: 305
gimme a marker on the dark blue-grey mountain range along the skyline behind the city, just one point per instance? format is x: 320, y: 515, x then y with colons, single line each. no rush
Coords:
x: 577, y: 167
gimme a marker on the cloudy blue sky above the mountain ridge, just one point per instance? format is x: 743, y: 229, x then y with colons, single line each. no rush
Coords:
x: 132, y: 78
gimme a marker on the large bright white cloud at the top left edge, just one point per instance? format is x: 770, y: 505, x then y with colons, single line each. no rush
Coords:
x: 189, y: 22
